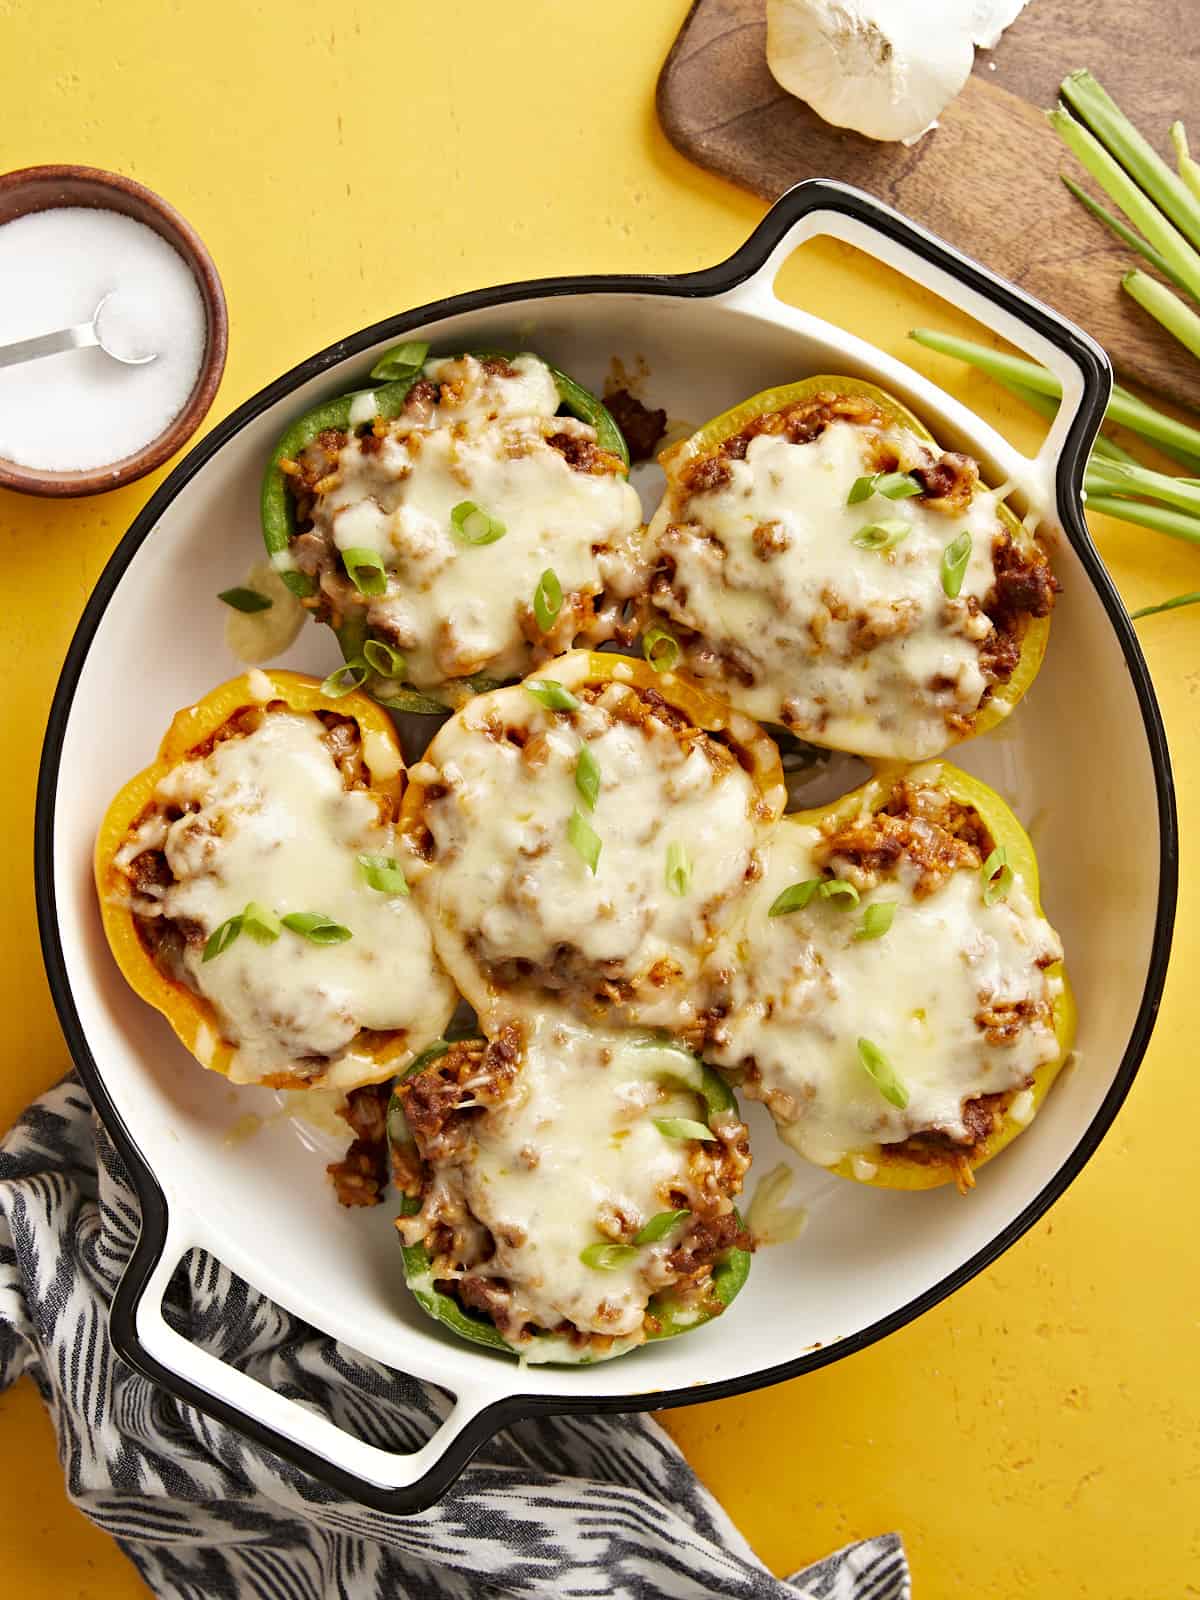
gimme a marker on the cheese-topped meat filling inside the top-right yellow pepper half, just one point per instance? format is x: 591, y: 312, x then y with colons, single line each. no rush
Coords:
x: 874, y: 625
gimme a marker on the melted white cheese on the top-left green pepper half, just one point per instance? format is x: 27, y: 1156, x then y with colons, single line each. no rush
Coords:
x: 457, y: 609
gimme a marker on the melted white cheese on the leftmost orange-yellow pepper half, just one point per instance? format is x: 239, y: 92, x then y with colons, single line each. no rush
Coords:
x: 270, y: 820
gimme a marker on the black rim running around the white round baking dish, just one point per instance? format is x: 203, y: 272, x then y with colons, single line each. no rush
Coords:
x: 815, y: 196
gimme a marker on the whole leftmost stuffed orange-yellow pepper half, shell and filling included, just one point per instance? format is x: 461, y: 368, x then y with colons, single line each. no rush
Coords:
x: 250, y: 889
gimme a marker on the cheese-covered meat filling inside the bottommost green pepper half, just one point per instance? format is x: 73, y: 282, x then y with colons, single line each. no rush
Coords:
x: 545, y: 1182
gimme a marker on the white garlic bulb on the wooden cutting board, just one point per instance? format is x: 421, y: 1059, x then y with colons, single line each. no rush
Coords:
x: 886, y: 68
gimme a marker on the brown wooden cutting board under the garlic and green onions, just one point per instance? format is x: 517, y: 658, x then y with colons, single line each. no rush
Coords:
x: 988, y: 177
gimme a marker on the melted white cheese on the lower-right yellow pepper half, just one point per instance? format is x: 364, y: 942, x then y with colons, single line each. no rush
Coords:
x: 802, y: 991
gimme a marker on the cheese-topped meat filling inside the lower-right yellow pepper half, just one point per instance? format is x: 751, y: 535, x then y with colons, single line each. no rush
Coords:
x: 902, y: 999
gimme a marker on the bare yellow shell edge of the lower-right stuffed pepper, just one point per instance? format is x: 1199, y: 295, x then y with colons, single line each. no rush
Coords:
x: 897, y: 1169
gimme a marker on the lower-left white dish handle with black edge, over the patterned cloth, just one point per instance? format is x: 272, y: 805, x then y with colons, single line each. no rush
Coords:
x: 295, y: 1431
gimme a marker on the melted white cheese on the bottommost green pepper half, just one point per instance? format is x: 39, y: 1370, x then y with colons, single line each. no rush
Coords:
x: 572, y: 1154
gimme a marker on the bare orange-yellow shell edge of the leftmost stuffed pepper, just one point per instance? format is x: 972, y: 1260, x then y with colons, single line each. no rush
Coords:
x: 191, y: 1017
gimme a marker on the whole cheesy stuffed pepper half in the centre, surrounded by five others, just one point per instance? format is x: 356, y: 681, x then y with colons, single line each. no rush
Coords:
x: 585, y: 834
